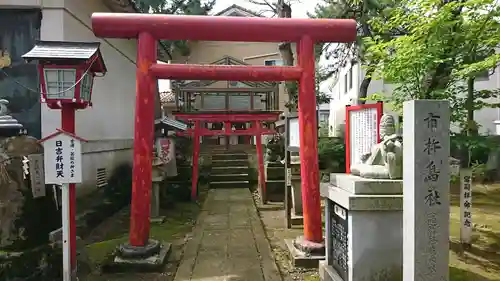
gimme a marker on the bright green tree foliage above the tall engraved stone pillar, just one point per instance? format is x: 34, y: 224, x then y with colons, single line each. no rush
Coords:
x: 441, y: 46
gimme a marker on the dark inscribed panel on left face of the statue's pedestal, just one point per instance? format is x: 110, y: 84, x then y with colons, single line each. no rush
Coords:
x: 339, y: 247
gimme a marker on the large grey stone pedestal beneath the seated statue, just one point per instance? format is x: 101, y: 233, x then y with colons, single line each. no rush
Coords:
x: 364, y: 229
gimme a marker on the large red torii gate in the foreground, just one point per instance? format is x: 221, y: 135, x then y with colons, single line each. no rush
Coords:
x: 150, y: 28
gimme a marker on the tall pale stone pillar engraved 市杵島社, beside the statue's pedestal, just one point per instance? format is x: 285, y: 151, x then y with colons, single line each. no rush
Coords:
x: 426, y: 175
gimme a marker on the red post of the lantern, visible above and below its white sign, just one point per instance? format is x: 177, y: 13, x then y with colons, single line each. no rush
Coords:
x: 68, y: 125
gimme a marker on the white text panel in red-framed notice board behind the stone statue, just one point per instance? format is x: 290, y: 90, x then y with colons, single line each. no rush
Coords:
x: 362, y: 133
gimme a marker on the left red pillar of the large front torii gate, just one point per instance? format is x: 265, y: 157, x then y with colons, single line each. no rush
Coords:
x: 143, y: 141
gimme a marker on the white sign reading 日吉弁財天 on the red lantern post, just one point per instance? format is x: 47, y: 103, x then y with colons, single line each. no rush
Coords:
x: 63, y: 159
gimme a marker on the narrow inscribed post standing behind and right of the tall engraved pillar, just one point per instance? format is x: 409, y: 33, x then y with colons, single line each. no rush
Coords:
x: 465, y: 206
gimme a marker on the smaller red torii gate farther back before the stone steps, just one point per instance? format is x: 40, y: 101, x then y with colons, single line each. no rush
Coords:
x: 255, y: 117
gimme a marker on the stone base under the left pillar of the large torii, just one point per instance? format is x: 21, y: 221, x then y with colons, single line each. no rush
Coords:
x: 140, y: 264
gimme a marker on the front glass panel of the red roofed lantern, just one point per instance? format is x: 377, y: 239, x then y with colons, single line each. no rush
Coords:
x: 60, y: 83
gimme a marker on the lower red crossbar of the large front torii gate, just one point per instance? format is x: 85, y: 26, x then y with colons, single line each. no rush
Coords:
x: 225, y: 72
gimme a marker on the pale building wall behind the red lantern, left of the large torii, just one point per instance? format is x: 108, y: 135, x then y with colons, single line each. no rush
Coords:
x: 108, y: 125
